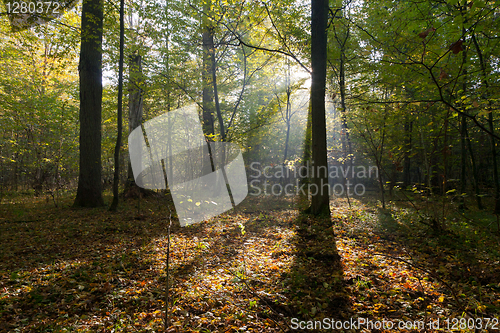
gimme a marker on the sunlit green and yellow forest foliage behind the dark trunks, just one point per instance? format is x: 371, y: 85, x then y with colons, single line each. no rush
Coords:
x: 411, y: 88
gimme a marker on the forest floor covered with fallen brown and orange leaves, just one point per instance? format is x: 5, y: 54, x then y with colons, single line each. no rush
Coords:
x: 262, y: 267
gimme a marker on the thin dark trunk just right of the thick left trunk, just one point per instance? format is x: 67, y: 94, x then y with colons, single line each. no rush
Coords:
x: 116, y: 177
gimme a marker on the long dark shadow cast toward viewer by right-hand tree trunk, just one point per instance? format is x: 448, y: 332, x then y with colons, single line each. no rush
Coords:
x: 315, y: 282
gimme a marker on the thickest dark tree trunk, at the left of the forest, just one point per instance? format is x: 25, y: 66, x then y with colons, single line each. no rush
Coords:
x: 89, y: 193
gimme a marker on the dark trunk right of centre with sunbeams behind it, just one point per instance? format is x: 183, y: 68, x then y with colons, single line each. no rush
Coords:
x: 320, y: 204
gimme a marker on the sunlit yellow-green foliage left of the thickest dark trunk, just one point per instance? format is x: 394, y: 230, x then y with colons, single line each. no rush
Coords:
x: 38, y: 104
